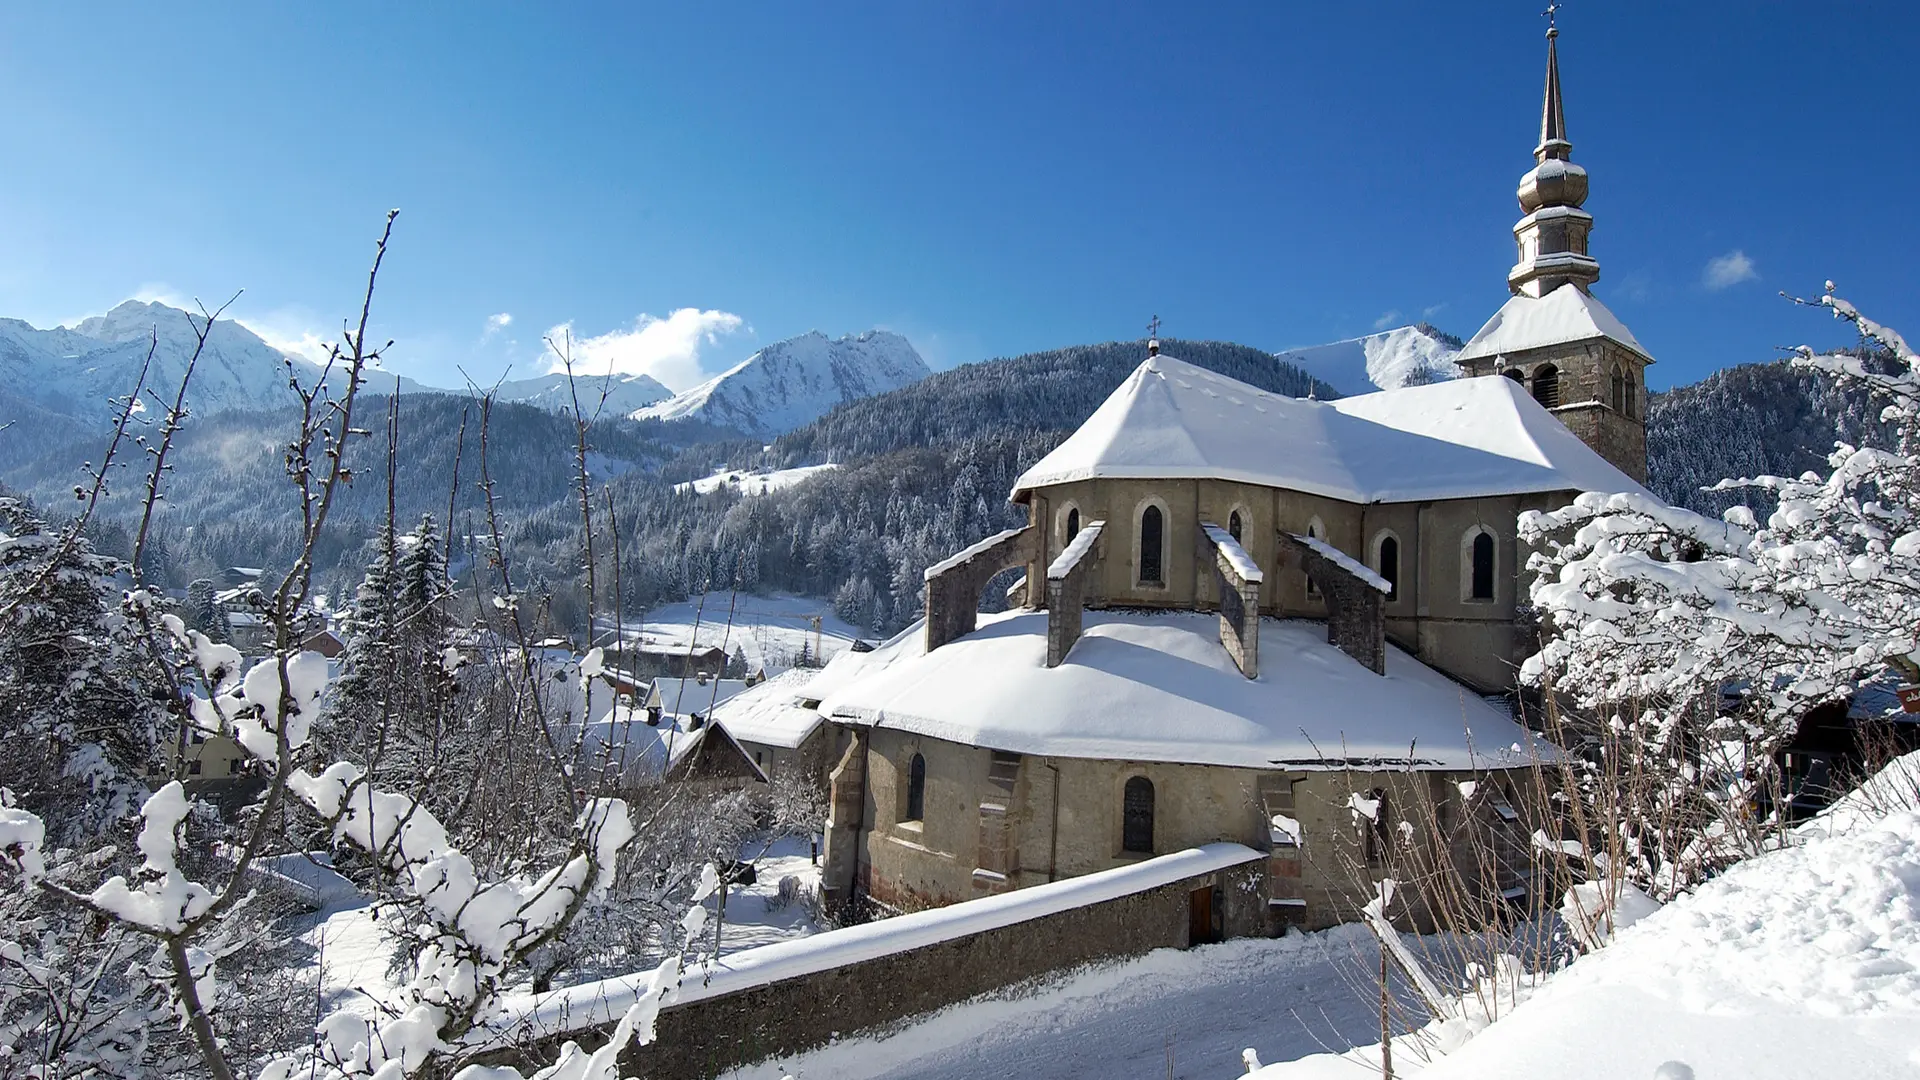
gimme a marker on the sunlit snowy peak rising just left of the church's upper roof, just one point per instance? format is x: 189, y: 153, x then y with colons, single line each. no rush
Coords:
x: 796, y: 381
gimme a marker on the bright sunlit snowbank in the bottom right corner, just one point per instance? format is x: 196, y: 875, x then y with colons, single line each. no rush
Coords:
x: 1798, y: 964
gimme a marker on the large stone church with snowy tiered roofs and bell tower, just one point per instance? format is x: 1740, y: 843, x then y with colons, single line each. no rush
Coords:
x: 1251, y: 618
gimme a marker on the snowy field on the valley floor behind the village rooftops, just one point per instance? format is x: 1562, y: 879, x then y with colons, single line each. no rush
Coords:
x: 769, y: 629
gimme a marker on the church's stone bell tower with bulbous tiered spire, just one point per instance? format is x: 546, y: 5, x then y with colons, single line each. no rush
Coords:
x: 1554, y: 335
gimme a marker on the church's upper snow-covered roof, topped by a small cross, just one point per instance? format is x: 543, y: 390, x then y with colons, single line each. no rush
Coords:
x: 1460, y: 439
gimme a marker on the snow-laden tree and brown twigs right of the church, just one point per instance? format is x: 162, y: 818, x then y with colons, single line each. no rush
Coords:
x: 1691, y: 649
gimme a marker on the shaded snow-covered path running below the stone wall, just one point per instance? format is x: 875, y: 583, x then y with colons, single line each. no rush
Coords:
x: 1285, y: 998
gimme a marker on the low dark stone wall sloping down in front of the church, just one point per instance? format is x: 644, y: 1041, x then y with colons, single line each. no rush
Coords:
x: 715, y: 1035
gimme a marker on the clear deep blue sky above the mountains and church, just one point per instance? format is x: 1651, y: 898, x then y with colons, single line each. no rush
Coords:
x: 984, y: 178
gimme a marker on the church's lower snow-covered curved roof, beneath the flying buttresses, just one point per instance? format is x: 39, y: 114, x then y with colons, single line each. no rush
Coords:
x: 1159, y: 687
